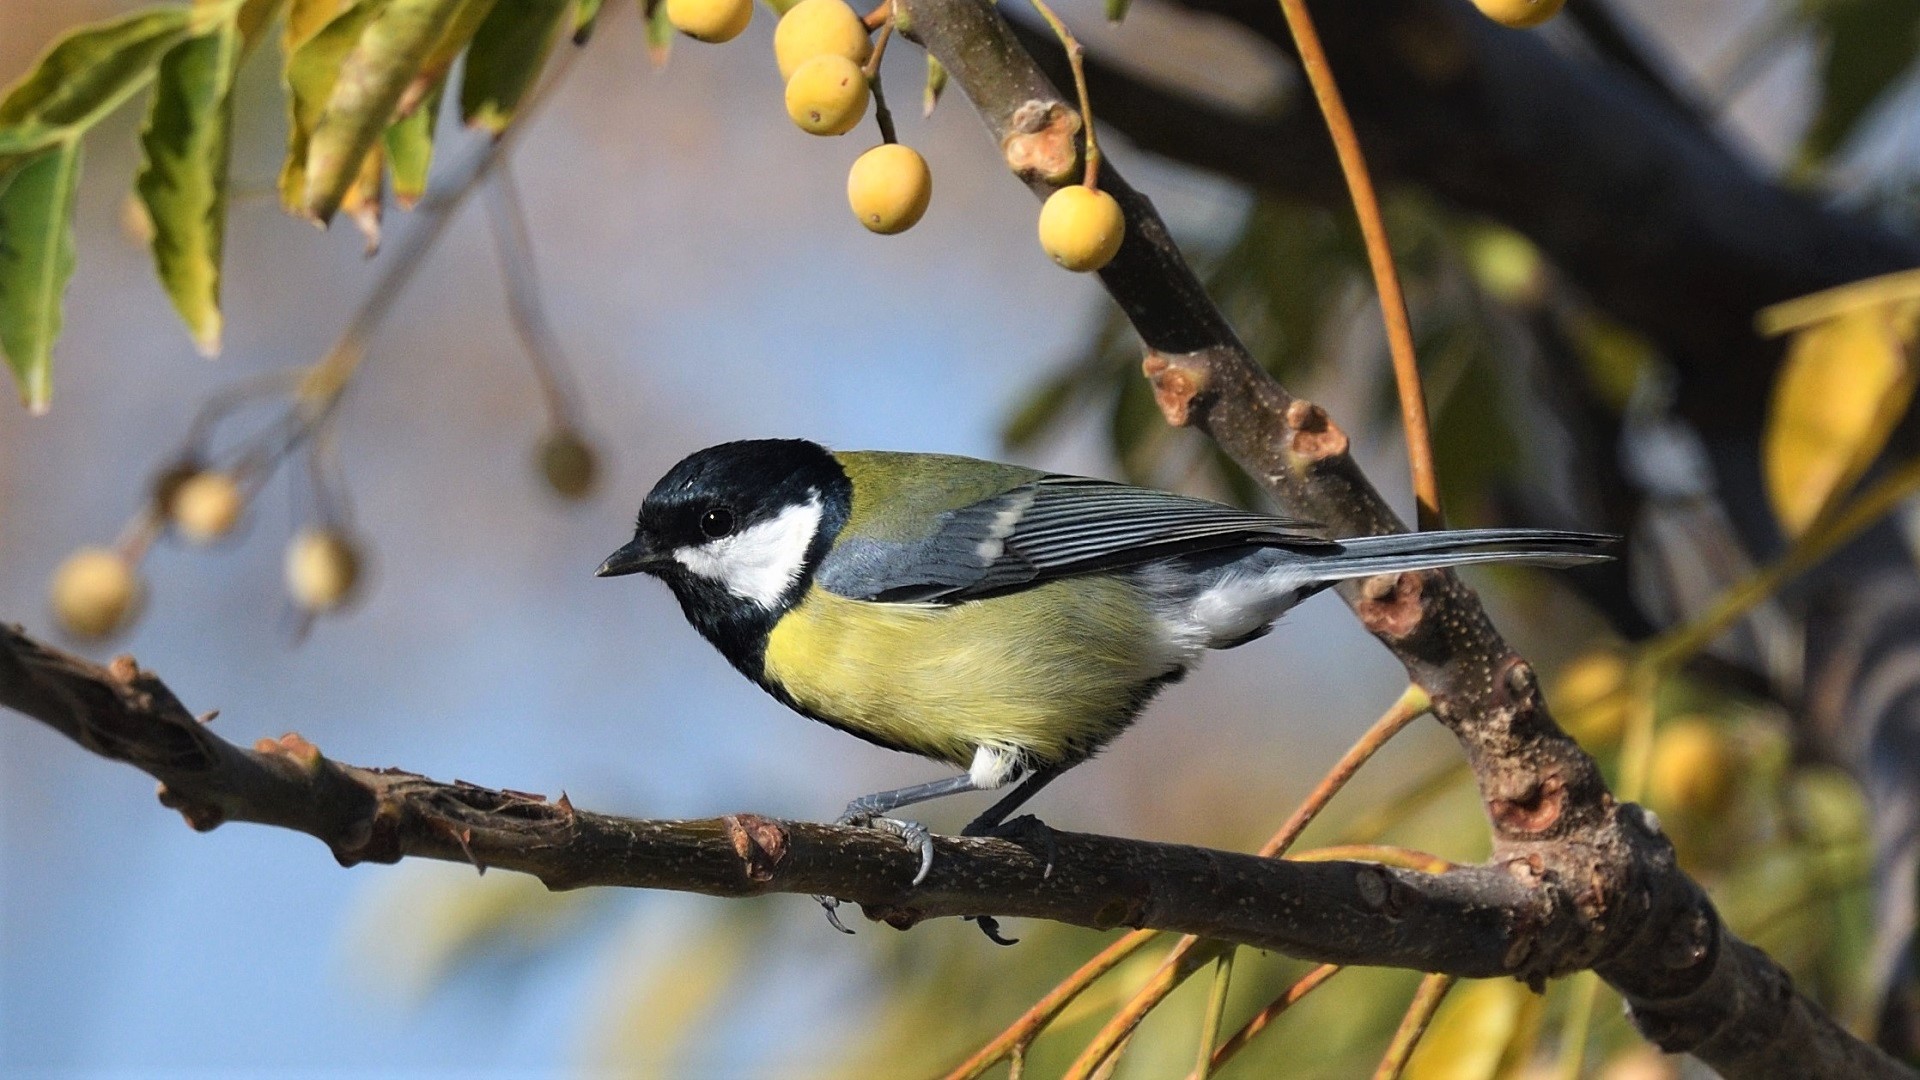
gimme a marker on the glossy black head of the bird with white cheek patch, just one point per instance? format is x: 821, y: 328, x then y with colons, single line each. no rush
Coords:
x: 736, y: 531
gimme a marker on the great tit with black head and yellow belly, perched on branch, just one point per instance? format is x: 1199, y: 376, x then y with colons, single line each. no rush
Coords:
x: 1001, y: 620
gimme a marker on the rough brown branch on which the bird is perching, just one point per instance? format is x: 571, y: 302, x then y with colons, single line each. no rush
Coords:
x: 1476, y: 921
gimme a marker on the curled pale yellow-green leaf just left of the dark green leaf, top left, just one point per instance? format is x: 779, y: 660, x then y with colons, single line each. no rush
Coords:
x: 360, y: 109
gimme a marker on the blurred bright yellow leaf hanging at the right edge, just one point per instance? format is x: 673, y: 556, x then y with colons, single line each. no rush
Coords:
x: 1844, y: 387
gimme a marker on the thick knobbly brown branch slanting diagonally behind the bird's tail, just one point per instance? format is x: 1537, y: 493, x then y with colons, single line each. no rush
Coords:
x: 1643, y: 923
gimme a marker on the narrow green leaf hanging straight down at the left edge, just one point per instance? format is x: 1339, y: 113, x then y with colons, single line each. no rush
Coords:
x: 36, y: 264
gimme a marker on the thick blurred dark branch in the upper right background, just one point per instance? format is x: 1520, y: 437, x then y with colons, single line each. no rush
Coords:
x: 1673, y: 233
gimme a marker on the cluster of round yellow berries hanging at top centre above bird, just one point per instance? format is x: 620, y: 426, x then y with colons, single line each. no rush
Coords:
x: 823, y: 49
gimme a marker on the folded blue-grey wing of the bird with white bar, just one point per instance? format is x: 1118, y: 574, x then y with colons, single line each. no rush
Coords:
x: 1047, y: 529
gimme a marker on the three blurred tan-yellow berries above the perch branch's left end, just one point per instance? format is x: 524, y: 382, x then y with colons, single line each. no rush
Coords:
x: 99, y: 593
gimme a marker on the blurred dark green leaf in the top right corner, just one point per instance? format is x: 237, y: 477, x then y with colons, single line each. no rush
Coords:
x: 1871, y: 45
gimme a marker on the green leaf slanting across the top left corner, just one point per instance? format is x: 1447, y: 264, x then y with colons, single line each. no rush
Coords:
x: 85, y: 76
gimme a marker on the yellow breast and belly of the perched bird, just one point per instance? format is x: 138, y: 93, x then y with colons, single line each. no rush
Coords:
x: 1053, y: 672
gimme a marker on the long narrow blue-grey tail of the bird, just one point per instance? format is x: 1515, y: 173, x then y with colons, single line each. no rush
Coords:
x: 1366, y: 556
